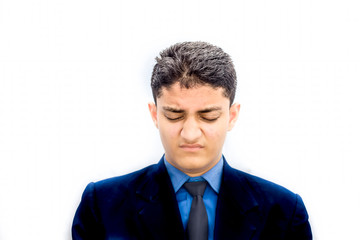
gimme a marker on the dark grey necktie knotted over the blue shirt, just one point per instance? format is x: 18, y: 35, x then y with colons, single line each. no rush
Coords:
x: 197, y: 228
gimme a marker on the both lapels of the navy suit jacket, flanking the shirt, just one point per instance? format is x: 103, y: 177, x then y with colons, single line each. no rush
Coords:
x: 237, y: 214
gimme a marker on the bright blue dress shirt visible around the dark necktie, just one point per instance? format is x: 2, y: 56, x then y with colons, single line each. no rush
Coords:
x: 184, y: 199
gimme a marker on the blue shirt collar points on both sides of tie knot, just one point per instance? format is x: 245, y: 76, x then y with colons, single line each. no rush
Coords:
x: 213, y: 176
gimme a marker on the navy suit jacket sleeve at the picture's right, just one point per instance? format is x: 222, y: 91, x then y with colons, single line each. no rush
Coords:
x: 300, y: 227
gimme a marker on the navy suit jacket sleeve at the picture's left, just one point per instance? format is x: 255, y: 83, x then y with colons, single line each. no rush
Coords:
x: 87, y: 223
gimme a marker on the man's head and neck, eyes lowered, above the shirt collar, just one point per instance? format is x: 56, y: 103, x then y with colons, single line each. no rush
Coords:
x: 194, y: 87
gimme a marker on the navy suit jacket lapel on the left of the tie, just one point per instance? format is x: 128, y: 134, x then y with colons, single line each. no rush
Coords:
x: 157, y: 207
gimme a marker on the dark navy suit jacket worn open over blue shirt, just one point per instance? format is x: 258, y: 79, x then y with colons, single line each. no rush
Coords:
x: 142, y: 205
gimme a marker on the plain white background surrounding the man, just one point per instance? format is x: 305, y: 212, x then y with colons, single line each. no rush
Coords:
x: 74, y: 88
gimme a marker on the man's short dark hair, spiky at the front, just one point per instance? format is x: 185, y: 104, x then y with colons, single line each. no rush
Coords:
x: 191, y: 64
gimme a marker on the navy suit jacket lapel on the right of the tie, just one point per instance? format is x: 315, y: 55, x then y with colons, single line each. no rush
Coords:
x: 237, y: 215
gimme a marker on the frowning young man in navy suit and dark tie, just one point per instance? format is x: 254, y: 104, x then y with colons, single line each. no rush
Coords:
x: 193, y: 85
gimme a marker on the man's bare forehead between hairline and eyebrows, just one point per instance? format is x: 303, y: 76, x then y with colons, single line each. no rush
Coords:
x: 197, y: 97
